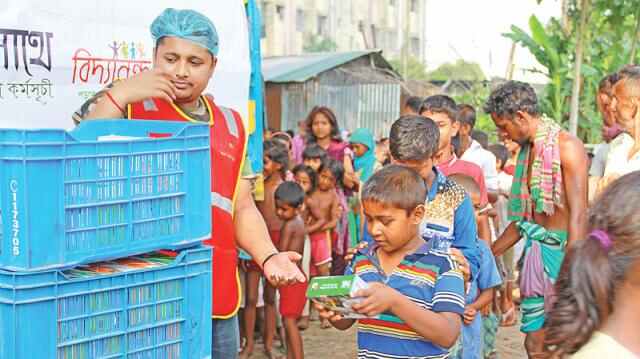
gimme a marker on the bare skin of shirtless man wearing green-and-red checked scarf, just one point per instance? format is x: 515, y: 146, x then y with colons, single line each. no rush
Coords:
x: 571, y: 217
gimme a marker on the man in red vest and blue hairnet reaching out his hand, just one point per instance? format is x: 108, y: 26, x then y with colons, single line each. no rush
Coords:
x: 185, y: 57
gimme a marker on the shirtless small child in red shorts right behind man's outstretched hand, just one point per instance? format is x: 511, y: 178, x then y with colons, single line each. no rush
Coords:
x: 289, y: 202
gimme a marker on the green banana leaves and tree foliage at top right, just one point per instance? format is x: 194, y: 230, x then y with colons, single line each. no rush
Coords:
x: 608, y: 41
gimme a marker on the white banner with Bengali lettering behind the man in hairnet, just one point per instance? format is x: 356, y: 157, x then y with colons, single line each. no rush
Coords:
x: 54, y: 55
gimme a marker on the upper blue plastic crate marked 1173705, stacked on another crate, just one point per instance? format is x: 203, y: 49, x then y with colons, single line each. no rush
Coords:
x: 83, y: 196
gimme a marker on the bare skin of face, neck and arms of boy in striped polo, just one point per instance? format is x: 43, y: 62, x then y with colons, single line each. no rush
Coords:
x: 396, y: 233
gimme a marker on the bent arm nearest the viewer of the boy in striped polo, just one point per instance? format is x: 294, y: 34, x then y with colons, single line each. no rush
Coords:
x: 380, y: 298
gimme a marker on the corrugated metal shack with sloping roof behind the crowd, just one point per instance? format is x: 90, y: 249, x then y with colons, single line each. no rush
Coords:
x: 360, y: 87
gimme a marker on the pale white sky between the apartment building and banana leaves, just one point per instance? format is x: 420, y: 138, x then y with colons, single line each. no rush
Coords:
x: 472, y: 30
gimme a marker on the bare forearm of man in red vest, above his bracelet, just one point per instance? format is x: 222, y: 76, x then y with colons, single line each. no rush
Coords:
x: 252, y: 234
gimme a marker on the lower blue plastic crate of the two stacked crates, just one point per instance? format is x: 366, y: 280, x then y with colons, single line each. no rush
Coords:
x: 160, y: 312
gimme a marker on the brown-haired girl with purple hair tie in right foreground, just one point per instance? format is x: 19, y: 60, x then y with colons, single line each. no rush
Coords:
x: 596, y: 312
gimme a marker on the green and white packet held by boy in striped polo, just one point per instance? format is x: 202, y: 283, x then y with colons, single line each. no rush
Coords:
x: 334, y: 293
